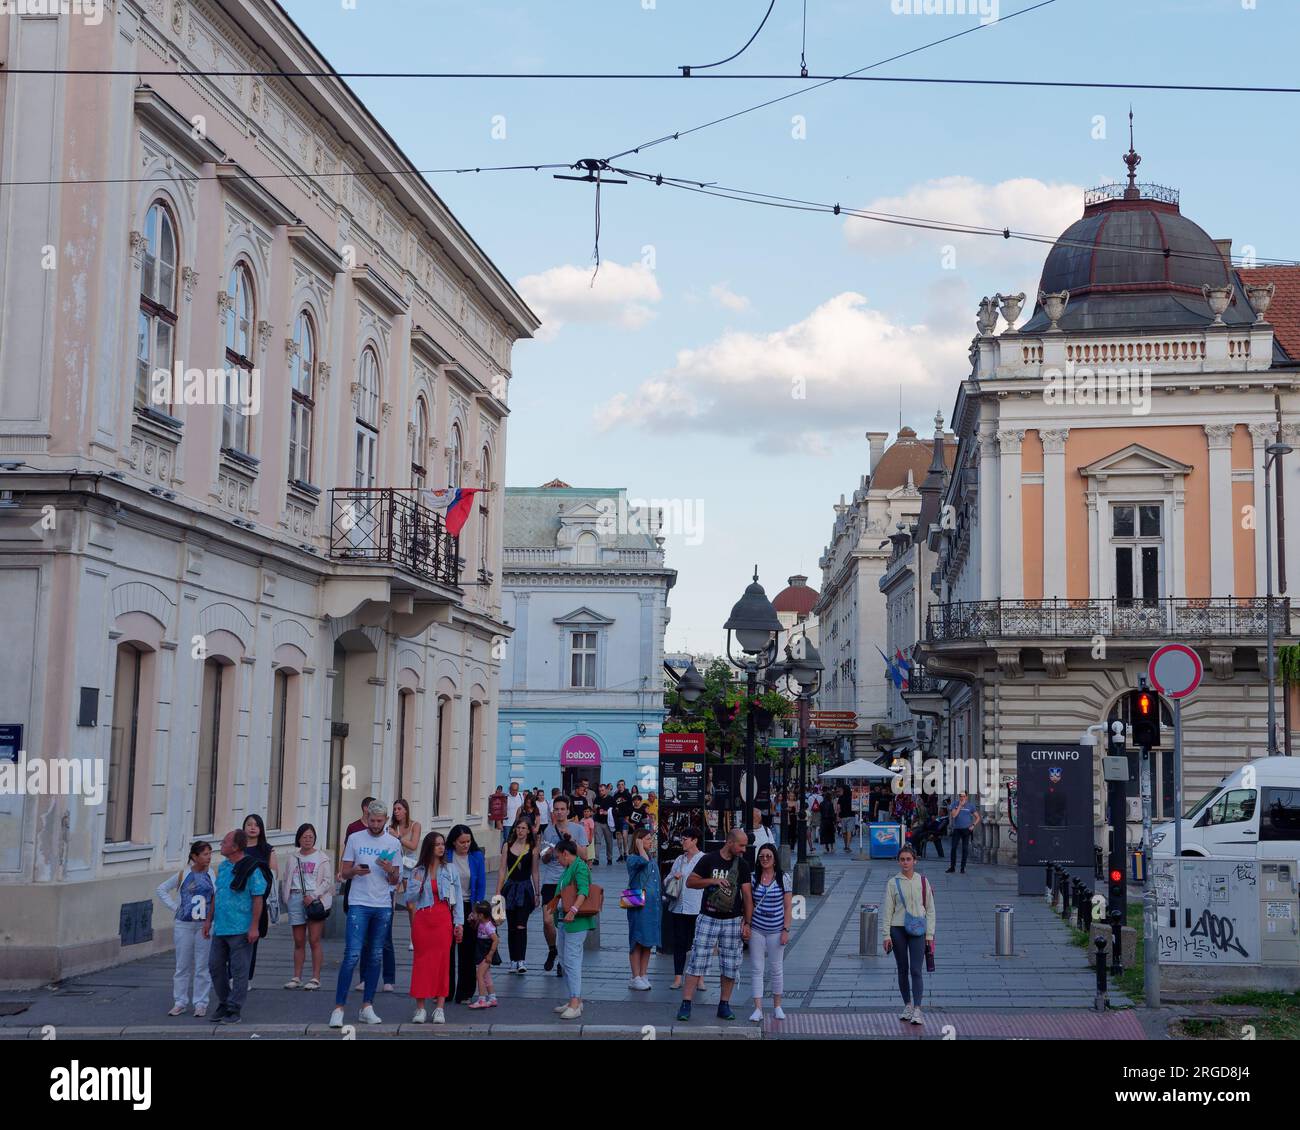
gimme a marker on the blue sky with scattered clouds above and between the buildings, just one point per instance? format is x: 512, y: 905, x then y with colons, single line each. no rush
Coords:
x: 729, y: 358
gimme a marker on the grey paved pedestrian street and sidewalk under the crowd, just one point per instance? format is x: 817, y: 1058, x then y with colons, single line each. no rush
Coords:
x: 824, y: 973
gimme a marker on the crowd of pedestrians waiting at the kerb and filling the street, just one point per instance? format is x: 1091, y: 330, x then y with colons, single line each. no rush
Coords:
x: 709, y: 904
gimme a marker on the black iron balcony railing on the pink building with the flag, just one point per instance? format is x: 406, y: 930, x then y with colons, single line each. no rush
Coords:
x: 391, y: 526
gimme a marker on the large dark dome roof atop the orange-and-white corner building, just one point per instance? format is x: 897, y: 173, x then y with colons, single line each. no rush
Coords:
x: 1133, y: 261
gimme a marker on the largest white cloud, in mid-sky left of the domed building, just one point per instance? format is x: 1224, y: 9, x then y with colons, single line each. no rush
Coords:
x: 846, y: 358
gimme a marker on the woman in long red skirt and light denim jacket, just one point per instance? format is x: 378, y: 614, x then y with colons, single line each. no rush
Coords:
x: 436, y: 902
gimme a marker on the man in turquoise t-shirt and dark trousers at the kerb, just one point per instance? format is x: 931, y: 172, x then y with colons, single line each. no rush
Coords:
x: 233, y: 926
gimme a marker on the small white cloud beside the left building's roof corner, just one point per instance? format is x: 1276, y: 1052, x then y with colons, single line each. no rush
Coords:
x: 619, y: 296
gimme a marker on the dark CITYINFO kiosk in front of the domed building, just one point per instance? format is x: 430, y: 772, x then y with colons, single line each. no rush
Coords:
x: 1056, y: 785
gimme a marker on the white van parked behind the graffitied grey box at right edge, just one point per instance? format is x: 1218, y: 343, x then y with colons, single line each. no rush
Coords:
x: 1251, y: 815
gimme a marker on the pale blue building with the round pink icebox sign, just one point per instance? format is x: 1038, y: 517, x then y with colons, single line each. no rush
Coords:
x: 587, y: 591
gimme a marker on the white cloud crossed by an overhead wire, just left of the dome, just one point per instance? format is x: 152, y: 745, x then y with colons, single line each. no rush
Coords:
x: 1022, y: 205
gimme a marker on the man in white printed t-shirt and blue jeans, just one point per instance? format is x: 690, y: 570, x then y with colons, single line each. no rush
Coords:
x: 372, y: 860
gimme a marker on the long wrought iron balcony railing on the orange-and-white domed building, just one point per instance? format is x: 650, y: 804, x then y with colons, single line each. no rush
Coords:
x: 1184, y: 618
